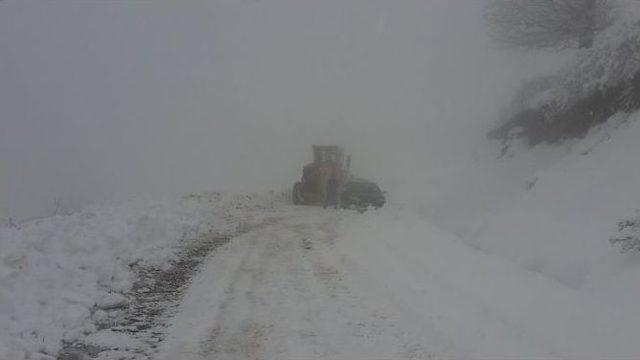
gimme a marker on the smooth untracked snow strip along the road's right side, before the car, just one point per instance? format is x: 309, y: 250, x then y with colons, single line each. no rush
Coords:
x: 482, y: 305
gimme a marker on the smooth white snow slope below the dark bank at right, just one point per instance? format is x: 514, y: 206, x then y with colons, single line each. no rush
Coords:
x: 553, y: 208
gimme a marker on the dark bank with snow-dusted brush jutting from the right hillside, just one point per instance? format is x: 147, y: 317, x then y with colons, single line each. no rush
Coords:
x: 596, y: 84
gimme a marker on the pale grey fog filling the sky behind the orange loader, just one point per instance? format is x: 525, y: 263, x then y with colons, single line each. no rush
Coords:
x: 102, y: 101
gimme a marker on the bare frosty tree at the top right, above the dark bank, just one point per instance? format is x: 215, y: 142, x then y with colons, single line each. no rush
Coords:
x: 536, y: 24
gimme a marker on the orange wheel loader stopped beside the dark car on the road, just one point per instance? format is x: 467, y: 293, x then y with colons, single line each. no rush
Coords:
x: 328, y: 162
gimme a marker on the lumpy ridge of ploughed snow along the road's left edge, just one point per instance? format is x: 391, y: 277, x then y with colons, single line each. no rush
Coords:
x: 54, y: 270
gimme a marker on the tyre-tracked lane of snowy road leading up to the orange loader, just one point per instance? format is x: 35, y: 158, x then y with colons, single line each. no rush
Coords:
x: 283, y: 292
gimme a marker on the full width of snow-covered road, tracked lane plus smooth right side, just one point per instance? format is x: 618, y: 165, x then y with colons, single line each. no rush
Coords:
x: 317, y: 284
